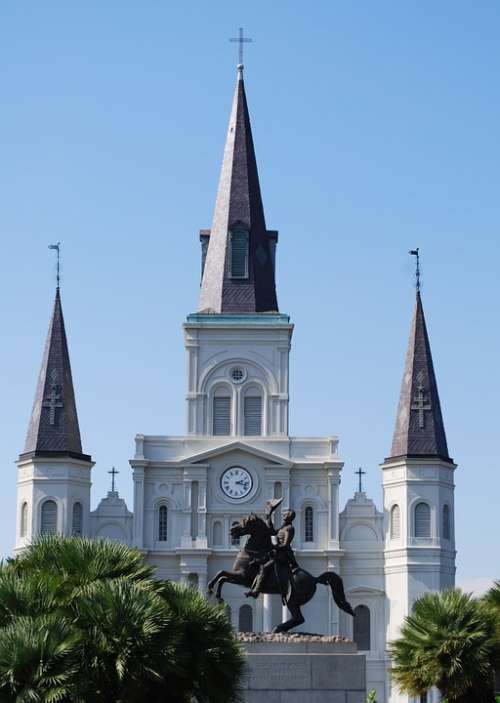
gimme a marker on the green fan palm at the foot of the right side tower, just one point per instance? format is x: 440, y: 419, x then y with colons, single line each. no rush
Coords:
x: 448, y: 642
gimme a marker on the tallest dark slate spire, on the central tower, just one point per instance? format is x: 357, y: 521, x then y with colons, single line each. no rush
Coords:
x: 239, y: 208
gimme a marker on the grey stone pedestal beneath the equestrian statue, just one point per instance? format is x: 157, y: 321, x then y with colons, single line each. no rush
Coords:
x: 303, y: 669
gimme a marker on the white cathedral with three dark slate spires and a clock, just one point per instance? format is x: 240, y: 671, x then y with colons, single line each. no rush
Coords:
x: 237, y: 451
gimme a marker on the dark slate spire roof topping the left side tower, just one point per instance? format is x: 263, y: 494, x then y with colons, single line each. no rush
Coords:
x: 53, y: 428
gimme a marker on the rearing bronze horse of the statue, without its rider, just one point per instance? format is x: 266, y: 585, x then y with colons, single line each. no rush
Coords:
x: 246, y: 567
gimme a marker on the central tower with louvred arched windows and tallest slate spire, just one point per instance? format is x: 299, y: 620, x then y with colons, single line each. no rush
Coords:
x: 238, y: 343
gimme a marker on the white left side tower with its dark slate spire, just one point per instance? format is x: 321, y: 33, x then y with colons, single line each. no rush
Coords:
x: 53, y: 473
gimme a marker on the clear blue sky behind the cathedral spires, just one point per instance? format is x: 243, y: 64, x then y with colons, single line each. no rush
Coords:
x: 376, y: 131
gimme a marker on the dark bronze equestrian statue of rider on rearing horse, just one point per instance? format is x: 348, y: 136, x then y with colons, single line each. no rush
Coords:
x: 266, y: 564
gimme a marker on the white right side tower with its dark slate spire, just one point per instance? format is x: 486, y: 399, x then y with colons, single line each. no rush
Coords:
x: 418, y: 489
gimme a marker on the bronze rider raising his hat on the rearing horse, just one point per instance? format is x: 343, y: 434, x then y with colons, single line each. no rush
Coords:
x: 281, y: 554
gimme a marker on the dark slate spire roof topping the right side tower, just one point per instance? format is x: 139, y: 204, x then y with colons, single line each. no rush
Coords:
x: 419, y: 428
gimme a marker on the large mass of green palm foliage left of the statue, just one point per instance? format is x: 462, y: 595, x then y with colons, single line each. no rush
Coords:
x: 84, y: 620
